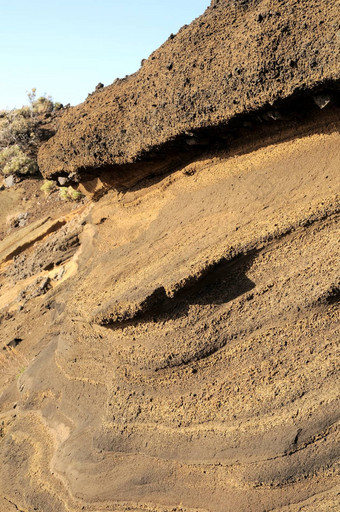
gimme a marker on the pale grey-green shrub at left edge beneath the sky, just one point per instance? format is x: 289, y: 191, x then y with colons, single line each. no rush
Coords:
x: 20, y: 135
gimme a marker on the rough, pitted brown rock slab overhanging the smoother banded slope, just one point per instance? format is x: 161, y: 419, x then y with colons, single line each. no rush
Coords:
x: 237, y: 57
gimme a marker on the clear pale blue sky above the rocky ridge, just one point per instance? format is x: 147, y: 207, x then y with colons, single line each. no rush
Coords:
x: 64, y: 48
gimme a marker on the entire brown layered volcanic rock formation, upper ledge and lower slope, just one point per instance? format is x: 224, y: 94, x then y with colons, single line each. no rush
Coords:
x: 171, y: 344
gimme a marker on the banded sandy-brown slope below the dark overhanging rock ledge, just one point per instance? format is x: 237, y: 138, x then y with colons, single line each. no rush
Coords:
x: 188, y: 358
